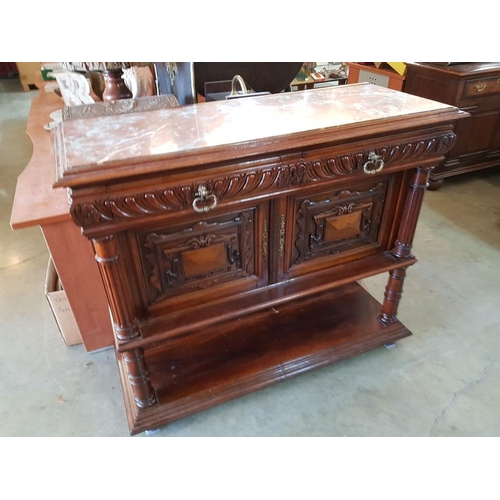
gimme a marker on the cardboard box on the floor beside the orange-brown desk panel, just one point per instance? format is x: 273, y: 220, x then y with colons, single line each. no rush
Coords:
x: 61, y: 309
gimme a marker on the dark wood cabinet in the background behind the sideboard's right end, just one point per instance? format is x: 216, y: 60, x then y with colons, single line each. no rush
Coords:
x: 475, y: 88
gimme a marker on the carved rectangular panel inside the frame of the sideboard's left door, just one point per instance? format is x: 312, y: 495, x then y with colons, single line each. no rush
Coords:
x: 198, y: 256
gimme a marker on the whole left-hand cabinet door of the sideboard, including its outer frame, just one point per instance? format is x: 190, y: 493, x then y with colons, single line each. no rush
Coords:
x: 224, y: 254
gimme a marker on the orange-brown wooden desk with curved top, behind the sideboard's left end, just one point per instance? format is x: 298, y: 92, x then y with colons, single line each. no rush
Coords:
x: 37, y: 203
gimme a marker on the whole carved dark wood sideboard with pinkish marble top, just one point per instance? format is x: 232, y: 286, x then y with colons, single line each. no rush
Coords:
x: 230, y: 234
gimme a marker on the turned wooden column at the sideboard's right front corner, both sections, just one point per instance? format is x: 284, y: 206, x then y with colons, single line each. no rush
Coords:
x: 404, y: 242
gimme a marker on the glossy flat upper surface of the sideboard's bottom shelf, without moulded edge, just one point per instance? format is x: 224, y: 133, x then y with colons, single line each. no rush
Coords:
x: 283, y: 339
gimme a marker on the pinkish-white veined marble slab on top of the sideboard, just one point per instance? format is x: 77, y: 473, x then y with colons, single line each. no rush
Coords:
x: 157, y: 134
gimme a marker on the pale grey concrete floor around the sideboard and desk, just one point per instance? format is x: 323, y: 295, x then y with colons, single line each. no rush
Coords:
x: 442, y: 381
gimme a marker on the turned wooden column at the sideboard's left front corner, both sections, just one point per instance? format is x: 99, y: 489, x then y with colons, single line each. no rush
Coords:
x: 125, y: 324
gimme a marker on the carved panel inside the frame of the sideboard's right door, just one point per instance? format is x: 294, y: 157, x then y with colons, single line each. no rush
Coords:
x: 334, y: 222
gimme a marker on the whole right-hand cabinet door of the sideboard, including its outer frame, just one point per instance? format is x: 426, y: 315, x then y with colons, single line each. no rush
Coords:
x: 338, y: 225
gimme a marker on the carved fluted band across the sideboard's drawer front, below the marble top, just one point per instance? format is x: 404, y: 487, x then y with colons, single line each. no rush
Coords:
x: 253, y: 182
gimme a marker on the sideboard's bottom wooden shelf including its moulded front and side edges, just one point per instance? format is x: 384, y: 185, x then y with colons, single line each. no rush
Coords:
x: 236, y: 357
